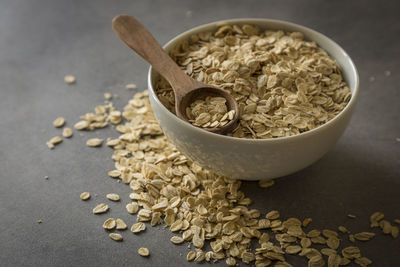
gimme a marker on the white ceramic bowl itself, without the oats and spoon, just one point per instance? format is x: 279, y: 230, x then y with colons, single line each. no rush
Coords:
x: 249, y: 159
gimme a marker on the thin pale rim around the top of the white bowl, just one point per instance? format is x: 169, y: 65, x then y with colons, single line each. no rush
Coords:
x: 306, y: 134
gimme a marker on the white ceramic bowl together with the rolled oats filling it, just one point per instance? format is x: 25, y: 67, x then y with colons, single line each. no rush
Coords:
x: 296, y: 90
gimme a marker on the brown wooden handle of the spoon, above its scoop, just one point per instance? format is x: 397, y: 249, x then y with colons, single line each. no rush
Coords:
x: 138, y: 38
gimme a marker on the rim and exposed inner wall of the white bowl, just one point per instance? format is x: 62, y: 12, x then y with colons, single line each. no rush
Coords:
x: 349, y: 70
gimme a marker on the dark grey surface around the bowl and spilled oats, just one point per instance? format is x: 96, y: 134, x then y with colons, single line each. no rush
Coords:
x: 43, y: 40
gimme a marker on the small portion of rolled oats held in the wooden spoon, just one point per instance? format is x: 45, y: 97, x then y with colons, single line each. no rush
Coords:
x: 211, y: 112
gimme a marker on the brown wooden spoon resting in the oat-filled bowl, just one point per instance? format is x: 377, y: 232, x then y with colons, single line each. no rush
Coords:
x: 186, y: 89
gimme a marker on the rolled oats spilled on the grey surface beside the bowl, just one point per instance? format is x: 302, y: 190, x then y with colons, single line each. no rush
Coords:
x: 207, y: 210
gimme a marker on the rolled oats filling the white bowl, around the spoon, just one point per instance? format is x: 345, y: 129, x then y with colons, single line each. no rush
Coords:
x: 284, y: 85
